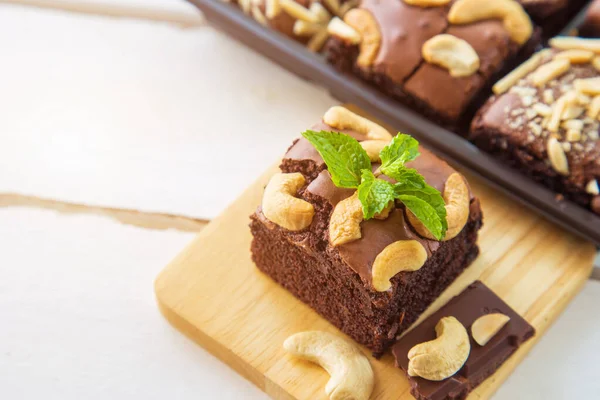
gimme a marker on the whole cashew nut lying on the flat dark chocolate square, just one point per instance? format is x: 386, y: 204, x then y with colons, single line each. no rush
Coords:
x: 443, y: 357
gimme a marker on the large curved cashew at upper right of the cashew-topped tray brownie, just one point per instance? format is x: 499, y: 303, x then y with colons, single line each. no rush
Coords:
x: 515, y: 19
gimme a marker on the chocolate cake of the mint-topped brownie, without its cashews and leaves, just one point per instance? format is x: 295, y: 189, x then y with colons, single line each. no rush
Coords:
x: 336, y: 278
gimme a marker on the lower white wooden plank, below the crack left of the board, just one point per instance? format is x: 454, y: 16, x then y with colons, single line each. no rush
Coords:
x: 79, y: 319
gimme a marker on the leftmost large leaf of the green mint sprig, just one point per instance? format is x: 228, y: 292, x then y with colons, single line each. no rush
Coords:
x: 344, y: 156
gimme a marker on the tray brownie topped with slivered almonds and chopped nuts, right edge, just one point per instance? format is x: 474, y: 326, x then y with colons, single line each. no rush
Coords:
x: 544, y: 120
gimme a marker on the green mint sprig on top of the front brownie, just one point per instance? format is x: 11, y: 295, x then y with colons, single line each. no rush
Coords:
x: 350, y: 167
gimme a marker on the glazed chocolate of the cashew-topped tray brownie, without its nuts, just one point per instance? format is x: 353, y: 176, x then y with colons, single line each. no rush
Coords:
x: 400, y: 71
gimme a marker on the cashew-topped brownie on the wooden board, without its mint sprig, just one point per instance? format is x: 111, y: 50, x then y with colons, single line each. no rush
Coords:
x: 371, y: 278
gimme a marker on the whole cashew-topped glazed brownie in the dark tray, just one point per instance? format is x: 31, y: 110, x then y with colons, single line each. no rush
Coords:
x: 400, y: 47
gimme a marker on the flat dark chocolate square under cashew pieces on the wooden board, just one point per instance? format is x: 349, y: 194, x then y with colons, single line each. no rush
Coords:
x: 475, y: 301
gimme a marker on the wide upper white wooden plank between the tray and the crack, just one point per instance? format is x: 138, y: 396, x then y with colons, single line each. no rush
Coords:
x: 140, y: 115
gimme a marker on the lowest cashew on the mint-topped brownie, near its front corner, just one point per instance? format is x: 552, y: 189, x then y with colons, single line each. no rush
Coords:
x: 403, y: 255
